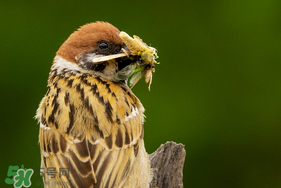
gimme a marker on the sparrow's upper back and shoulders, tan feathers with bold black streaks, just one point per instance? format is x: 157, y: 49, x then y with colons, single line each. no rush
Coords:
x: 80, y: 103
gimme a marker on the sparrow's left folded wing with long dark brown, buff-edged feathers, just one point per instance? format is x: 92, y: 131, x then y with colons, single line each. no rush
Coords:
x: 62, y: 155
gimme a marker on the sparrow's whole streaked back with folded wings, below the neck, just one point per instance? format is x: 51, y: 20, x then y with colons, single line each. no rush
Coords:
x: 87, y: 129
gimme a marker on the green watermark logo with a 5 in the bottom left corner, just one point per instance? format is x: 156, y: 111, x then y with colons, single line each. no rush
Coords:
x: 21, y: 176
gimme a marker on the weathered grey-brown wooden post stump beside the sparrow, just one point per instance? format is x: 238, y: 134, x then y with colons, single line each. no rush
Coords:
x: 167, y: 164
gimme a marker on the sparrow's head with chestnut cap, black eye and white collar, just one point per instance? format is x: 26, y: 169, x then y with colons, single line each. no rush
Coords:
x: 89, y: 42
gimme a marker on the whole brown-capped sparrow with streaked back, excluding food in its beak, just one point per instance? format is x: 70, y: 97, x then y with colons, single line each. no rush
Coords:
x: 91, y: 123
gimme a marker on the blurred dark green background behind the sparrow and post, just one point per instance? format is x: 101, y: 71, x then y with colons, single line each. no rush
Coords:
x: 217, y: 89
